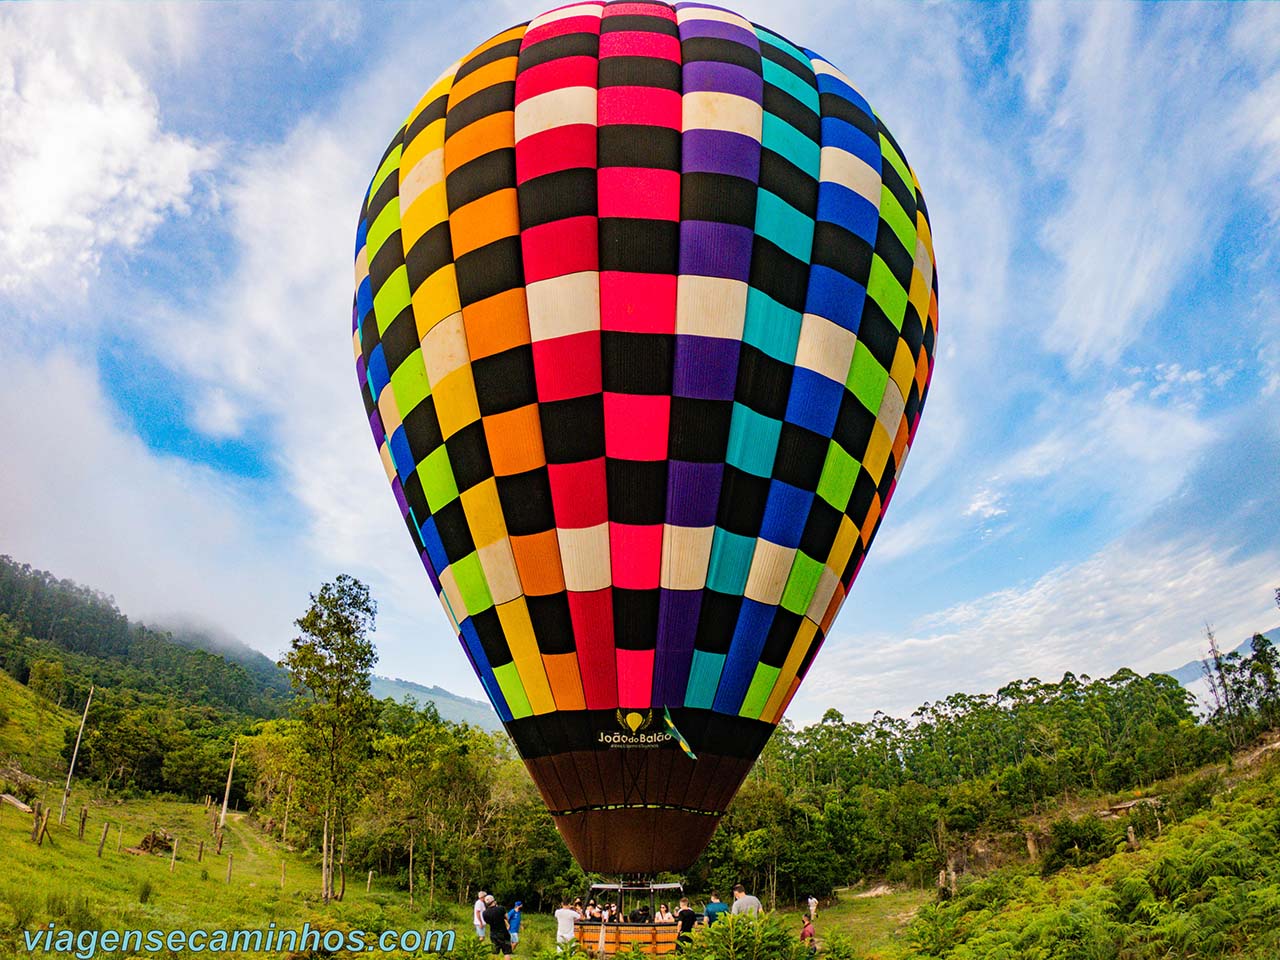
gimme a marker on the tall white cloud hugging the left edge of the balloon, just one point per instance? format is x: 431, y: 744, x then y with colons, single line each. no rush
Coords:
x: 273, y: 351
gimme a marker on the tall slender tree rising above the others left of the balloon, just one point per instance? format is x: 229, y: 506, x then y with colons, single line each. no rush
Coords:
x: 330, y: 668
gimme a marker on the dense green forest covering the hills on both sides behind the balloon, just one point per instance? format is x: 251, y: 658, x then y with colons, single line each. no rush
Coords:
x: 939, y: 799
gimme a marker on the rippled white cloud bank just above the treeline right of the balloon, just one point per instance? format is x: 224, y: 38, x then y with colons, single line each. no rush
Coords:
x: 1139, y: 605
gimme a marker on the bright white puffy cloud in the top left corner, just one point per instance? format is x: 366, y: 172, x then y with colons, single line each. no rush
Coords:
x: 86, y: 164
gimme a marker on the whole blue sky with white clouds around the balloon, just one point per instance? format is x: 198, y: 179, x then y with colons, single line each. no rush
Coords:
x: 1098, y: 473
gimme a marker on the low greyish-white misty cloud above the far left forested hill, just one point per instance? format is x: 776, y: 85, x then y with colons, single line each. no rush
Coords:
x: 84, y: 497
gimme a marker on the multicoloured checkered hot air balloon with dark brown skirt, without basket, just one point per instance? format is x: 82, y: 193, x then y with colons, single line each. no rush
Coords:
x: 644, y: 322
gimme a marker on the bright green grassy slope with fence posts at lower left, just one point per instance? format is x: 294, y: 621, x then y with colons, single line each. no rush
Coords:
x: 66, y: 883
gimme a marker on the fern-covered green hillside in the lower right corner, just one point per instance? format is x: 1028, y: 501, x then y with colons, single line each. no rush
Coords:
x: 1206, y: 888
